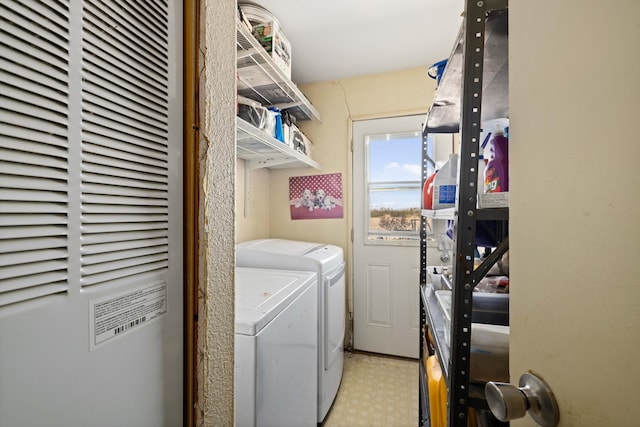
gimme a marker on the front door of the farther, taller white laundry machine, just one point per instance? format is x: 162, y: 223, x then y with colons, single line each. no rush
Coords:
x: 334, y: 315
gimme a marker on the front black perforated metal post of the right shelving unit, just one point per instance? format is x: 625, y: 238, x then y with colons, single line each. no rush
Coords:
x: 465, y: 222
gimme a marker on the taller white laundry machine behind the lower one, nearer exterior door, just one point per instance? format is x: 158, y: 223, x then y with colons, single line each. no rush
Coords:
x: 328, y: 263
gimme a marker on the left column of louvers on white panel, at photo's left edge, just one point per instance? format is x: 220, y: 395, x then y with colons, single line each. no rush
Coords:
x: 34, y: 54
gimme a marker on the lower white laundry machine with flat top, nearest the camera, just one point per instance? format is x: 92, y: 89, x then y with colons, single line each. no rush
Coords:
x: 276, y: 348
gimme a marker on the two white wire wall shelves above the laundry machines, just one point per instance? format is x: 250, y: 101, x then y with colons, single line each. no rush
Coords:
x: 260, y: 79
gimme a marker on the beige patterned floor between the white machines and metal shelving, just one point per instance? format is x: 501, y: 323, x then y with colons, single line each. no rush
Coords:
x: 376, y: 391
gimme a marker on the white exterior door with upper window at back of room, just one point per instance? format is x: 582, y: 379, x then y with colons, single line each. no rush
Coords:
x: 386, y: 222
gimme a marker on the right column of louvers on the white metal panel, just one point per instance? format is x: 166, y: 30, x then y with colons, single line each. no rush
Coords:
x: 124, y: 141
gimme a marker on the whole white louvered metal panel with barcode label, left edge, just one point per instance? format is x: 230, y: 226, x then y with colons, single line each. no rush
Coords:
x: 91, y: 213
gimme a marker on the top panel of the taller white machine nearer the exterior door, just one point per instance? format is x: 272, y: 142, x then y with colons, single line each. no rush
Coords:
x: 289, y: 254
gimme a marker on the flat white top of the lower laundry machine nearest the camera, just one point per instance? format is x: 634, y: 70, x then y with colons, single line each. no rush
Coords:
x: 261, y: 294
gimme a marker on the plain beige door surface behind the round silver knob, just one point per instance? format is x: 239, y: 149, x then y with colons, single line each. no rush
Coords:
x: 575, y: 205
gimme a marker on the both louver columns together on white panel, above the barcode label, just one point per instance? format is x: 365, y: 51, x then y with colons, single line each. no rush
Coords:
x: 83, y: 147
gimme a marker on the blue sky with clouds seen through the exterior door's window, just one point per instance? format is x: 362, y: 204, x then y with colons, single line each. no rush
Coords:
x: 395, y: 160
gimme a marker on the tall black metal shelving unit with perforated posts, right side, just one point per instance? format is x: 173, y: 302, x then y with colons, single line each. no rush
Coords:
x: 473, y: 89
